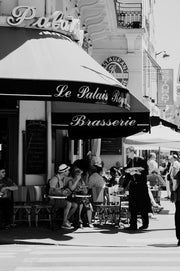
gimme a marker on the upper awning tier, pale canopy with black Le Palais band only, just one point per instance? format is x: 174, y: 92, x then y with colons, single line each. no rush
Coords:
x: 37, y: 64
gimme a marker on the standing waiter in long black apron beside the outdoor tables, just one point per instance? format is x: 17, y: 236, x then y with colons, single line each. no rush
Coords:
x: 136, y: 180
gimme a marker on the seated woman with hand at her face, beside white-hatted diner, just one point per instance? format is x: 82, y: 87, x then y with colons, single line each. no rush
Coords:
x: 78, y: 187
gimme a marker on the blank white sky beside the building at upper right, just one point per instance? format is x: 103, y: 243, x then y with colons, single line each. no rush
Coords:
x: 167, y: 33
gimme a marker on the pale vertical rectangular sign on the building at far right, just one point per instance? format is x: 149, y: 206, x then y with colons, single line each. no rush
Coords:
x: 165, y: 87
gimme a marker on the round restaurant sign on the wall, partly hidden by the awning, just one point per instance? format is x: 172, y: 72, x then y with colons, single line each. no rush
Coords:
x: 118, y: 68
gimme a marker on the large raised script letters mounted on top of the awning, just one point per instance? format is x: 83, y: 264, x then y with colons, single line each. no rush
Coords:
x: 25, y: 16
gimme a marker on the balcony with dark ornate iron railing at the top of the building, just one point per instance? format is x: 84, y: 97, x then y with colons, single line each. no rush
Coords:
x: 128, y: 15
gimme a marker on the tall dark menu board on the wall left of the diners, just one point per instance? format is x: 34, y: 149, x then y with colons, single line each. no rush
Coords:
x: 36, y: 147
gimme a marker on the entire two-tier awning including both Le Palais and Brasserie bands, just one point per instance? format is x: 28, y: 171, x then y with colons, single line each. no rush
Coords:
x: 88, y: 101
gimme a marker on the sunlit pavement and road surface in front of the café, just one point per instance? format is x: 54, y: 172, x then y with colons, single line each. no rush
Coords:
x: 101, y: 248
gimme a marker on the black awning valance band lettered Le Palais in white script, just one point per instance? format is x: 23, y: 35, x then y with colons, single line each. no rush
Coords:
x: 81, y: 92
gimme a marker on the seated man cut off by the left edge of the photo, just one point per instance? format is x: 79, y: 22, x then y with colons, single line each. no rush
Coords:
x: 6, y: 202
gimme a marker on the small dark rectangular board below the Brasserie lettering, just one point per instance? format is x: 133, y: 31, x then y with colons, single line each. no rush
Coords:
x: 111, y: 146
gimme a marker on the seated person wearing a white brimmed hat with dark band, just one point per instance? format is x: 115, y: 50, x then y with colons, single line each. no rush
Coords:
x: 59, y: 187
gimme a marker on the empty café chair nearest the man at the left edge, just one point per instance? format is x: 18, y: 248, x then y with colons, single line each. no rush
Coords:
x: 22, y: 210
